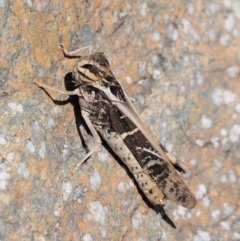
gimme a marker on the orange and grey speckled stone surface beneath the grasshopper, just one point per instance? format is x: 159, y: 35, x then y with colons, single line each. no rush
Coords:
x: 179, y: 60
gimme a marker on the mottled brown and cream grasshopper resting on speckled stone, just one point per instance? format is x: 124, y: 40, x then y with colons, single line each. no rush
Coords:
x: 108, y: 111
